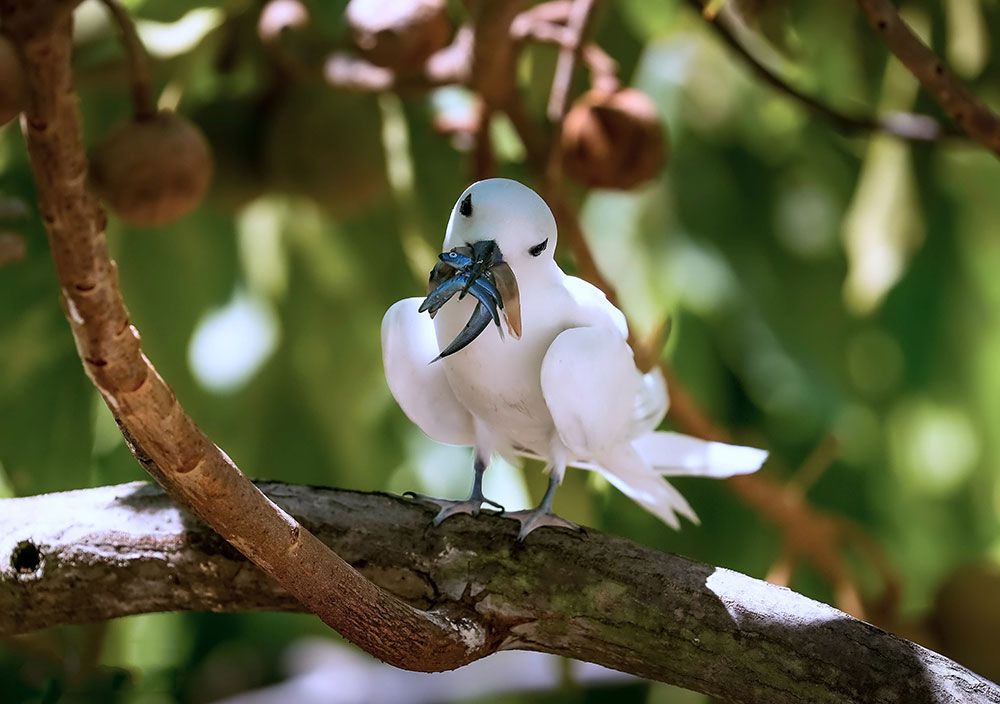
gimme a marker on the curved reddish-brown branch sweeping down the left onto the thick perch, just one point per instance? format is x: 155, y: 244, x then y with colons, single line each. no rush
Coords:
x: 161, y: 435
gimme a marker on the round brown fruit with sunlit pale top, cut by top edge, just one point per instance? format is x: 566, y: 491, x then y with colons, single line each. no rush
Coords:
x: 399, y: 34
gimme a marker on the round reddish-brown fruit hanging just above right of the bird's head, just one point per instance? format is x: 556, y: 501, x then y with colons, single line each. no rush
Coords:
x: 613, y: 140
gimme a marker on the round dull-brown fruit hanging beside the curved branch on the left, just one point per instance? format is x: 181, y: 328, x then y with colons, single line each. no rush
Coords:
x: 152, y: 172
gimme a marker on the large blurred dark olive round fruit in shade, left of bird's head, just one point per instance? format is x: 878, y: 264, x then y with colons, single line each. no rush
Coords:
x: 327, y: 145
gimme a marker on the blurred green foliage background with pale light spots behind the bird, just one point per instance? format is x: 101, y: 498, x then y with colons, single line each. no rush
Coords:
x: 826, y: 291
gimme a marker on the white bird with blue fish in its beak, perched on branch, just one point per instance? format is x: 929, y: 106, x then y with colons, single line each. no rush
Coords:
x: 562, y: 385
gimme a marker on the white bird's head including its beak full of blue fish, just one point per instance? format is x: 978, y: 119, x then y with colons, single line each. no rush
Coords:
x: 499, y: 231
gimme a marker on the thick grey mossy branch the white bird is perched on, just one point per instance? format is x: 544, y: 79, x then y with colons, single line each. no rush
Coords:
x: 592, y: 597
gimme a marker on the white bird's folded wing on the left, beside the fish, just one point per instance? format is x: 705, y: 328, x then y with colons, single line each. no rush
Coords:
x: 421, y: 389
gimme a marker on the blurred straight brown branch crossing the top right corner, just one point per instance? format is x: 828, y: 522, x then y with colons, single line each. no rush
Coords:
x: 974, y: 117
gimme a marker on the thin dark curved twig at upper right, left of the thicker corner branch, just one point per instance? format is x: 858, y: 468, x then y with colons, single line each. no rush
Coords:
x: 910, y: 126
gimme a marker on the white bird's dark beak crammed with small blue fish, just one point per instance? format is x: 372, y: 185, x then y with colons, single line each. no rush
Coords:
x: 478, y: 269
